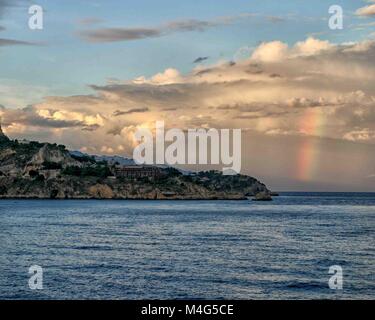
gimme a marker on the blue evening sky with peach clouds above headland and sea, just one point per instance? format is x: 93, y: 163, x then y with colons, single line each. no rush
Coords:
x: 302, y: 93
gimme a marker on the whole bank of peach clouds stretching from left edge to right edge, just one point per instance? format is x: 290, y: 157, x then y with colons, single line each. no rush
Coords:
x: 310, y: 89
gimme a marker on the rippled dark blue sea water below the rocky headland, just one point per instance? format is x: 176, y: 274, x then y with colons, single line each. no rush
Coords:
x: 190, y: 249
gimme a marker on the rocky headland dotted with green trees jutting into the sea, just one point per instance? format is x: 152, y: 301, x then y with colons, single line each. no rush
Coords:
x: 35, y: 170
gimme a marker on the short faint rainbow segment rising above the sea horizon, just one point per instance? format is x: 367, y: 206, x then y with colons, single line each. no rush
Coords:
x: 311, y: 125
